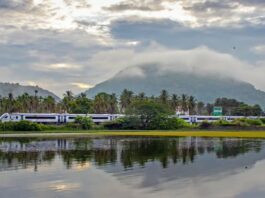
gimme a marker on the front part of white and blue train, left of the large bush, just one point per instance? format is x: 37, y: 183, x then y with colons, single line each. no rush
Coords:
x: 55, y: 118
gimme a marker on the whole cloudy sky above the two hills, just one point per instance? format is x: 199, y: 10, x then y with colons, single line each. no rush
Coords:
x: 75, y: 44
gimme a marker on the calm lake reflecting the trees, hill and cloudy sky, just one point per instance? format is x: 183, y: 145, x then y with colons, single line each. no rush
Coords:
x: 130, y: 167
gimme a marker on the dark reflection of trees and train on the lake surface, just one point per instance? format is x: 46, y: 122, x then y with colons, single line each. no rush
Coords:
x: 130, y: 152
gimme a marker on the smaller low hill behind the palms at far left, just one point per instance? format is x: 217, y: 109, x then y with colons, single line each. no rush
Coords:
x: 16, y: 90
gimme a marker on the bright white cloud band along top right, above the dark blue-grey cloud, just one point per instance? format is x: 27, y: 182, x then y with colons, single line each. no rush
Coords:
x: 195, y: 13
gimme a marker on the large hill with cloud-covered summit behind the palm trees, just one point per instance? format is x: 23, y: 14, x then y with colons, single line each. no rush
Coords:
x: 151, y: 80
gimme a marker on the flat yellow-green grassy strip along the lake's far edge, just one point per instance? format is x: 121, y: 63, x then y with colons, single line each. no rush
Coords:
x: 200, y: 133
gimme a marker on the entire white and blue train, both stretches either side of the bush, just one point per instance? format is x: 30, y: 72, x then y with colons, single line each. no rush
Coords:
x: 55, y: 118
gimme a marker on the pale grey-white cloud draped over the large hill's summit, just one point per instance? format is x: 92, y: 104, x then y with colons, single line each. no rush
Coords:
x: 201, y: 61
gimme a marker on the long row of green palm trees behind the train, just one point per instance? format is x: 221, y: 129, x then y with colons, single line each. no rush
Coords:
x: 111, y: 103
